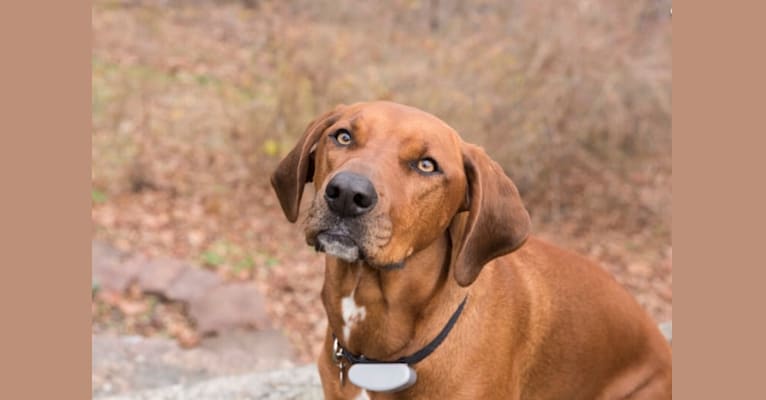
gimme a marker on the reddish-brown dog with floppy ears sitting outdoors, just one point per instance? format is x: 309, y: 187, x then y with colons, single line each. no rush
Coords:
x: 409, y: 215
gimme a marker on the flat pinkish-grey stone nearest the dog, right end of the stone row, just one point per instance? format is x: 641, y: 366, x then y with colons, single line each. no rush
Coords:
x: 229, y: 306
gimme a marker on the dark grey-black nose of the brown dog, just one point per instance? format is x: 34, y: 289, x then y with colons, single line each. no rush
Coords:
x: 350, y: 195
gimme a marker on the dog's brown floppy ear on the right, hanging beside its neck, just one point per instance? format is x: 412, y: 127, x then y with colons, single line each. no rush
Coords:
x: 497, y: 222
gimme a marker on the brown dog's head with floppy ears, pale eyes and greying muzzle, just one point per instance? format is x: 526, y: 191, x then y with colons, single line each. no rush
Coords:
x: 390, y: 179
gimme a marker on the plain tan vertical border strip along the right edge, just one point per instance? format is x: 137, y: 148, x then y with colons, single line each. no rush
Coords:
x: 718, y: 113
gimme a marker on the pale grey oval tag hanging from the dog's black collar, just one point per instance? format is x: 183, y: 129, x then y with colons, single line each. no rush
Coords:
x: 382, y: 377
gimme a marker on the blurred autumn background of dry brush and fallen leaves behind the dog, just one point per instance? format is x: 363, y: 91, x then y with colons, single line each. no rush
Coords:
x: 194, y: 102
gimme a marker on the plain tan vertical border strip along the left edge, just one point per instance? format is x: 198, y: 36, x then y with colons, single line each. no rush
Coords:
x: 44, y: 173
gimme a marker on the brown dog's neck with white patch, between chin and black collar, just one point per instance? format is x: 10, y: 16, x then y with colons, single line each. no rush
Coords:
x: 386, y: 314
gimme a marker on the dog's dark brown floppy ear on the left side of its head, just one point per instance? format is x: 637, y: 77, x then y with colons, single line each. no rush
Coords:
x: 297, y: 168
